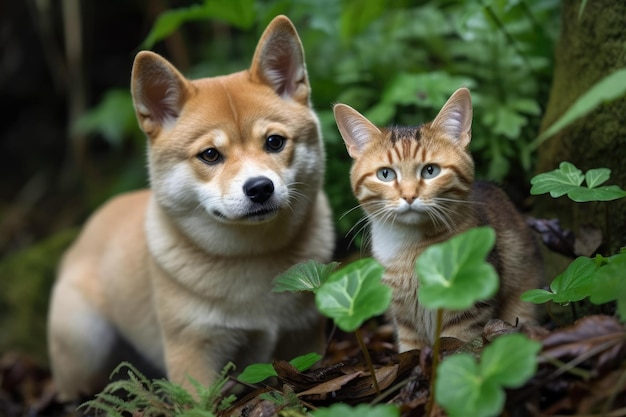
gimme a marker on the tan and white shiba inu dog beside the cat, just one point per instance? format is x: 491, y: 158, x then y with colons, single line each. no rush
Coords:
x: 181, y: 273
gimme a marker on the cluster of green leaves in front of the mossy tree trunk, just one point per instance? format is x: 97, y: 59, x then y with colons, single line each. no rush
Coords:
x: 568, y: 179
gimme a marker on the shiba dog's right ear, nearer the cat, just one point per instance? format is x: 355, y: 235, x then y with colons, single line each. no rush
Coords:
x: 279, y: 61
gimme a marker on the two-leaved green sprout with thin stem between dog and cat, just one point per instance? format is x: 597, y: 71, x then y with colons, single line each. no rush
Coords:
x: 349, y: 295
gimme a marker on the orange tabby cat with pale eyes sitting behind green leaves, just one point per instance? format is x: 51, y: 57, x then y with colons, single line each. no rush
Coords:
x: 416, y: 186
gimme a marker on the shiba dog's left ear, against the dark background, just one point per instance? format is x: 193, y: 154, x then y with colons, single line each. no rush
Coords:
x: 159, y: 92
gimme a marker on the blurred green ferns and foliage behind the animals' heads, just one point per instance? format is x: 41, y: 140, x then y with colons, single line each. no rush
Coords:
x: 396, y: 62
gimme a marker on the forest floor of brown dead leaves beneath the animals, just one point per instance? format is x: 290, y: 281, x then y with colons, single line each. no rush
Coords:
x: 582, y: 371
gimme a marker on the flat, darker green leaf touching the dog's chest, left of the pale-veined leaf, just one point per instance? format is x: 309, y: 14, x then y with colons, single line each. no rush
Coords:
x: 308, y: 276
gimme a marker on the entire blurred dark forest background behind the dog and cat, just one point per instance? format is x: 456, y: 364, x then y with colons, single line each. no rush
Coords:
x: 69, y: 139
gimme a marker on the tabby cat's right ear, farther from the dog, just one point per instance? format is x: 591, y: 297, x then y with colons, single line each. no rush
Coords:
x: 455, y: 117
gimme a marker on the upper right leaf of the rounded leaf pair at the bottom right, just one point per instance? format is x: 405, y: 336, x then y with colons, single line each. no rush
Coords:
x: 510, y: 360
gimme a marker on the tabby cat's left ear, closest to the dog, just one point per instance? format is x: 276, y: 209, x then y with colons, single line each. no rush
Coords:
x: 355, y: 129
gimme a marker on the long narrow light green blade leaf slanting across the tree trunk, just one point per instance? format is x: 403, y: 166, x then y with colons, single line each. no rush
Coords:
x: 611, y: 87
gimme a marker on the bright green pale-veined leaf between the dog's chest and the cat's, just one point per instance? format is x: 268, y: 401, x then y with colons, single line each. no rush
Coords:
x: 354, y: 294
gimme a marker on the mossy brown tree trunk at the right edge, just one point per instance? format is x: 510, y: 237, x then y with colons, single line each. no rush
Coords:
x: 590, y: 47
